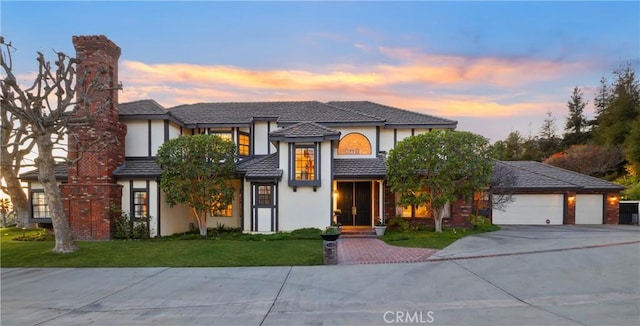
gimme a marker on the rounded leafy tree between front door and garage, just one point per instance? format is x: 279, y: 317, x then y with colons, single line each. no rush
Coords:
x: 439, y: 167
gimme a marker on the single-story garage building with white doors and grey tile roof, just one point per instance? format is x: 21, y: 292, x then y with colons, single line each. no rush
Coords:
x: 545, y: 194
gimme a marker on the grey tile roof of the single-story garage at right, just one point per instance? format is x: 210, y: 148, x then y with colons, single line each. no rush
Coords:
x: 532, y: 175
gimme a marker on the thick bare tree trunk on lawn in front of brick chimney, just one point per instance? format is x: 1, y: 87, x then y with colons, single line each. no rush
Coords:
x: 46, y: 163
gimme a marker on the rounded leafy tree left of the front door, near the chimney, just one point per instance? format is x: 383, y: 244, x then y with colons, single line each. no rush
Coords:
x: 198, y: 171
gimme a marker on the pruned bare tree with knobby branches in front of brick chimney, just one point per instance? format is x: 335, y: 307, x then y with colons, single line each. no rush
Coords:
x: 58, y: 99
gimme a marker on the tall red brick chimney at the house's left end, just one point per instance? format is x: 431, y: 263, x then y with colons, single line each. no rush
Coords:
x: 91, y: 190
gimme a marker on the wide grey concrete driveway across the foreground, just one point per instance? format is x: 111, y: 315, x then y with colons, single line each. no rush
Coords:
x: 546, y: 275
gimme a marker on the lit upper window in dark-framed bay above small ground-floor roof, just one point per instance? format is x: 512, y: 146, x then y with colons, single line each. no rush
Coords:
x: 304, y: 165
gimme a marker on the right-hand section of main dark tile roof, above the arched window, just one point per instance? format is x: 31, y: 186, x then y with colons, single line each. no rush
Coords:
x: 394, y: 116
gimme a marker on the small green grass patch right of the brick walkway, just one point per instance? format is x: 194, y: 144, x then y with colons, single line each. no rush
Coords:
x: 430, y: 239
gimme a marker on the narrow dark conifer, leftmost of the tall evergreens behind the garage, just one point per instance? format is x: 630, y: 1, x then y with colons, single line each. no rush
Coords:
x: 576, y: 125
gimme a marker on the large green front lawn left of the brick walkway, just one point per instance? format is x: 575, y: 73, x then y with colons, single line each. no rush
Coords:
x: 177, y: 251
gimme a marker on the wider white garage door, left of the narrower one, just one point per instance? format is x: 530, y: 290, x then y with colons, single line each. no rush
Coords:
x: 531, y: 209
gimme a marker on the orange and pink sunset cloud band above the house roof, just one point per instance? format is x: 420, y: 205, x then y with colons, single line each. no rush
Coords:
x: 443, y: 85
